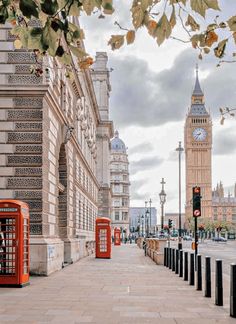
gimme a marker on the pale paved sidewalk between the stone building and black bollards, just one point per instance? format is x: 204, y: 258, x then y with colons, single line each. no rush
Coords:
x: 129, y: 288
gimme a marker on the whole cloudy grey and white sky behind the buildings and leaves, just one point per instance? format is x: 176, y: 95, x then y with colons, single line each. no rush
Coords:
x: 151, y: 93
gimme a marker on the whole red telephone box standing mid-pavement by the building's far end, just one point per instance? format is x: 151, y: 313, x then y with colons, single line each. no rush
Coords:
x: 103, y: 238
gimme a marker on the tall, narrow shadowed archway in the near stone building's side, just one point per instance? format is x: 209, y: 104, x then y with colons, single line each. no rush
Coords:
x: 62, y: 197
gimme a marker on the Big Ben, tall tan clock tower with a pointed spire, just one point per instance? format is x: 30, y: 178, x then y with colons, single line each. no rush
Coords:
x: 198, y: 152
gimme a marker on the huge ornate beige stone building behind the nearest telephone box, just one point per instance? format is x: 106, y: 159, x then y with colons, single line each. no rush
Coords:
x: 51, y: 131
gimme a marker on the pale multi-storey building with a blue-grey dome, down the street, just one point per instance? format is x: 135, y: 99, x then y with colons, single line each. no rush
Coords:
x: 119, y: 168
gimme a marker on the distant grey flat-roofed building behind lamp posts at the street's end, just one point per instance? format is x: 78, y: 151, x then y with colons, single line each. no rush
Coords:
x: 136, y: 219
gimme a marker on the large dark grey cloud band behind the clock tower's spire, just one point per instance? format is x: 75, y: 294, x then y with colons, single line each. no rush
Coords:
x: 145, y: 98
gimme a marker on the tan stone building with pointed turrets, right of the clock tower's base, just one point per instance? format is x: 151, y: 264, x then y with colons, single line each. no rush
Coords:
x: 224, y: 208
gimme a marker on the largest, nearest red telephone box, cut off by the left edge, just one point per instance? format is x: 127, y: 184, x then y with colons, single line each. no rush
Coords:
x: 14, y: 243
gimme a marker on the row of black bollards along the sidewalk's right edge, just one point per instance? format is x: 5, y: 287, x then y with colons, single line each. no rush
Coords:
x: 178, y: 262
